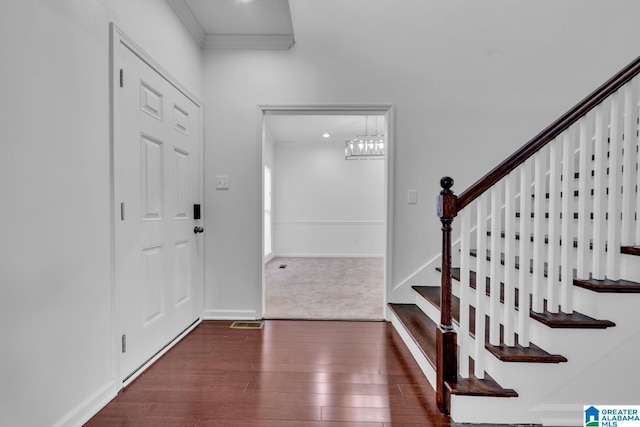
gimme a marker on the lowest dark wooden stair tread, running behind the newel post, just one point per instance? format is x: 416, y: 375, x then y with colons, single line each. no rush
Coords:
x: 423, y: 331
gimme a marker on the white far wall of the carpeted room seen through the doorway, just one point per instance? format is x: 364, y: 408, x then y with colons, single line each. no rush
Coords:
x: 325, y: 205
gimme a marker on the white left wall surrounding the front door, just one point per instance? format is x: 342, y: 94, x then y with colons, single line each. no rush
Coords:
x: 56, y: 320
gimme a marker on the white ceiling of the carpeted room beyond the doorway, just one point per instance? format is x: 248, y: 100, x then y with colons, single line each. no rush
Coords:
x: 301, y: 129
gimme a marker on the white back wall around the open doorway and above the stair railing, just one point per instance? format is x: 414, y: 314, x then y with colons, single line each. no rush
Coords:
x: 471, y: 82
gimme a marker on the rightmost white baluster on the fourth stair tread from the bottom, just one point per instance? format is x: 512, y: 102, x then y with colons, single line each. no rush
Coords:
x: 615, y: 178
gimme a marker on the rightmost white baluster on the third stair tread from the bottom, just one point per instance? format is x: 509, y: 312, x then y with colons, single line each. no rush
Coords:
x: 568, y: 208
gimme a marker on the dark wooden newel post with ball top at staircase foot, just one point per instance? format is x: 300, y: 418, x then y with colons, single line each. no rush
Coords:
x: 446, y: 342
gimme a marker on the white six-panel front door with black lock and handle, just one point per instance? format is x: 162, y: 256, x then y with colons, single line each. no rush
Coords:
x: 157, y: 149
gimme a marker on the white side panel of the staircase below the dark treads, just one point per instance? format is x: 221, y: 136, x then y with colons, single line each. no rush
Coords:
x: 560, y: 402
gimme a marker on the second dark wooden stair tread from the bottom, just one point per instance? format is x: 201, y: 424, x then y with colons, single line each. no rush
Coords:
x: 516, y: 353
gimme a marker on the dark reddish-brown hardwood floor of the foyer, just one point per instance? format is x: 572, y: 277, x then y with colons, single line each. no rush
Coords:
x: 290, y: 373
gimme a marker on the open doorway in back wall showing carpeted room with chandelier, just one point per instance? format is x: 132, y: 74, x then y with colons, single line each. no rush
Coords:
x: 326, y: 212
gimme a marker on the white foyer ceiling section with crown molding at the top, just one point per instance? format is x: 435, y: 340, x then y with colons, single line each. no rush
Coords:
x: 237, y: 24
